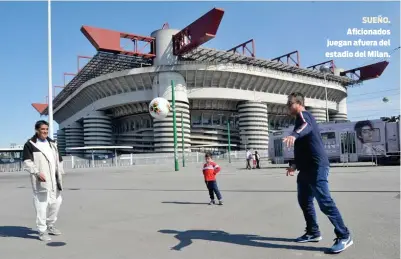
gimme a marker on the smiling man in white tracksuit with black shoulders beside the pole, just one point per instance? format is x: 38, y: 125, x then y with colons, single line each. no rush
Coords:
x: 45, y: 166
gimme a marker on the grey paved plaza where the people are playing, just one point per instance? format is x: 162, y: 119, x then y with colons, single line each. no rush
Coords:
x: 152, y: 212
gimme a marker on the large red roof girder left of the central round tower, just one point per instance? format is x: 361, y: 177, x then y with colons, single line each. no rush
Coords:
x: 109, y: 41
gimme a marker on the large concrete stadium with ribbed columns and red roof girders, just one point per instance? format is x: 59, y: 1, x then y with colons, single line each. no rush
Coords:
x: 106, y: 102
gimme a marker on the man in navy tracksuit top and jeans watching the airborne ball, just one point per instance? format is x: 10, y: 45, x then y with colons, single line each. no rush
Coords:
x: 313, y: 165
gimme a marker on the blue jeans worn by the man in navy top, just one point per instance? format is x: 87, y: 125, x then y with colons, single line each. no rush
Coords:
x: 314, y: 184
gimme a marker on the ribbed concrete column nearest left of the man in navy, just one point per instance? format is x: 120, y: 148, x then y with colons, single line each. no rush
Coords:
x: 253, y: 125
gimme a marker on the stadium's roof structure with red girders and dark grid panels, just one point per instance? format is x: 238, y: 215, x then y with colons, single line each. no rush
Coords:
x: 110, y: 57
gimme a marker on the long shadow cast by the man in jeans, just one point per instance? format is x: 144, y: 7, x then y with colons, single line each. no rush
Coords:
x: 186, y: 237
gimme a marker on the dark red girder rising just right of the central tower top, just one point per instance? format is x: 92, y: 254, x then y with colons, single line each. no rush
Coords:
x: 198, y: 32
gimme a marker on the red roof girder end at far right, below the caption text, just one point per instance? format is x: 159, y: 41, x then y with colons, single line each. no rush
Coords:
x: 366, y: 72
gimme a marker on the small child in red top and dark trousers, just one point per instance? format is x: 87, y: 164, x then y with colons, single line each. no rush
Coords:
x: 210, y: 169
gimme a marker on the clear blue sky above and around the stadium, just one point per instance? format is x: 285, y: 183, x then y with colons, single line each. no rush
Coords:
x: 276, y: 27
